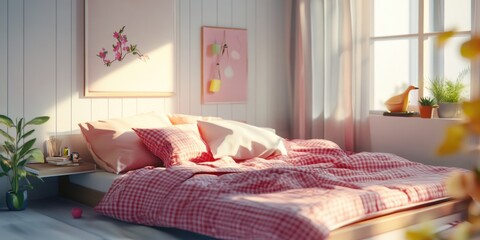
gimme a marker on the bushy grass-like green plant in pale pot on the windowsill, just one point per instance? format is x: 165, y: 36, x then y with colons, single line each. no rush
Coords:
x: 448, y: 94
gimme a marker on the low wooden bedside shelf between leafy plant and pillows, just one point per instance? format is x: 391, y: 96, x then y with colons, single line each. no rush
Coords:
x: 50, y: 170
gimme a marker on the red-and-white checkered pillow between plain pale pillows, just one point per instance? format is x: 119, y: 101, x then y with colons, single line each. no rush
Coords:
x: 176, y: 145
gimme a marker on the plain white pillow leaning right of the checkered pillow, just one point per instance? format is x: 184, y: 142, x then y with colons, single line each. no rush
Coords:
x: 239, y: 140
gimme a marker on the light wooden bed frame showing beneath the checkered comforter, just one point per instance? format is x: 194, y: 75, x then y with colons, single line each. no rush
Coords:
x: 360, y: 230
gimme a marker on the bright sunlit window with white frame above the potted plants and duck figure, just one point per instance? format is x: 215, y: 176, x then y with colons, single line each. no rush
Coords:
x: 403, y: 47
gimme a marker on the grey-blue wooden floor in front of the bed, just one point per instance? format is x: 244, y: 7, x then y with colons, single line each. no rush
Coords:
x: 51, y: 219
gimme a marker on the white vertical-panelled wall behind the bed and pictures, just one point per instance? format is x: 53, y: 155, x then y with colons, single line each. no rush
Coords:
x: 42, y: 63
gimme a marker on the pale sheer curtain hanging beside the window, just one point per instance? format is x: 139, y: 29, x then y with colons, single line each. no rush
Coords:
x: 330, y: 71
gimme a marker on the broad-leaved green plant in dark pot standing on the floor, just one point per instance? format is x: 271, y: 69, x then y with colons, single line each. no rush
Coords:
x: 18, y: 151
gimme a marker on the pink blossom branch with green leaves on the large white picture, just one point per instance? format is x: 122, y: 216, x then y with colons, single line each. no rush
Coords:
x: 121, y: 49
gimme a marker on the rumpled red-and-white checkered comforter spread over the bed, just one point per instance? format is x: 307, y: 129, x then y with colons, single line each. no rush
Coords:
x: 316, y: 188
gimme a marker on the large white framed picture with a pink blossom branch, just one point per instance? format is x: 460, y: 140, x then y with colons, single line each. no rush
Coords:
x: 129, y: 48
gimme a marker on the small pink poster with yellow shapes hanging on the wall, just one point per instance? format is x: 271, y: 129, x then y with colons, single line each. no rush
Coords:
x: 224, y: 65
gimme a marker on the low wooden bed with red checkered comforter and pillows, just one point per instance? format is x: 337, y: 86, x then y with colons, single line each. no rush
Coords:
x: 297, y: 189
